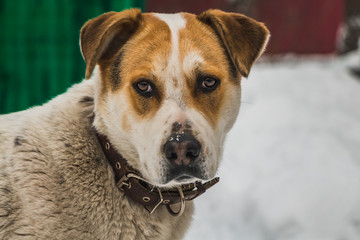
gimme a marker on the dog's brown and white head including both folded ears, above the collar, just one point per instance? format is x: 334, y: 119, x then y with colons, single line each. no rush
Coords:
x: 169, y: 86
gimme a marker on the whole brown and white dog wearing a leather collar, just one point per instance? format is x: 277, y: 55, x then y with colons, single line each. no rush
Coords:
x: 147, y: 124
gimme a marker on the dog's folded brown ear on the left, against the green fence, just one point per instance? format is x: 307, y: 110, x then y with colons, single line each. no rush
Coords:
x: 103, y: 36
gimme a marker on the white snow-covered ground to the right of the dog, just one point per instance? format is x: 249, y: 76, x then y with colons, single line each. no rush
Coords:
x: 291, y: 168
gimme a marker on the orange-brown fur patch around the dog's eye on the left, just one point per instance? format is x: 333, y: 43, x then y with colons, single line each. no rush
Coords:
x: 150, y: 43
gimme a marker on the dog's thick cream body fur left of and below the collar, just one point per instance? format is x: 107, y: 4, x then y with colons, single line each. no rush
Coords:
x: 61, y: 185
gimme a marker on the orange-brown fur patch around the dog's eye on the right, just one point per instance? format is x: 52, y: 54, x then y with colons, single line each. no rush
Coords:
x: 200, y: 38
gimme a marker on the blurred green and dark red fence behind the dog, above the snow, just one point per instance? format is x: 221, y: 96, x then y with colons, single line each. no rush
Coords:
x: 40, y: 54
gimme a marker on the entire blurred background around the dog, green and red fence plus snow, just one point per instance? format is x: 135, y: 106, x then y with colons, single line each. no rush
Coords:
x: 291, y: 168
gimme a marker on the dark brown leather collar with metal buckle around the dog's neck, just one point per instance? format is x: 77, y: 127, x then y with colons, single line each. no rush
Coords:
x: 139, y: 190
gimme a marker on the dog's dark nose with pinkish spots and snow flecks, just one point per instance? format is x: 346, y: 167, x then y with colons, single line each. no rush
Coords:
x: 182, y: 150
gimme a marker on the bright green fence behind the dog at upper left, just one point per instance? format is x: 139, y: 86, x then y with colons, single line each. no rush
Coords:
x: 39, y: 47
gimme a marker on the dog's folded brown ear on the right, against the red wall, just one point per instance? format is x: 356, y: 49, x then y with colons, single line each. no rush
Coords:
x: 243, y: 38
